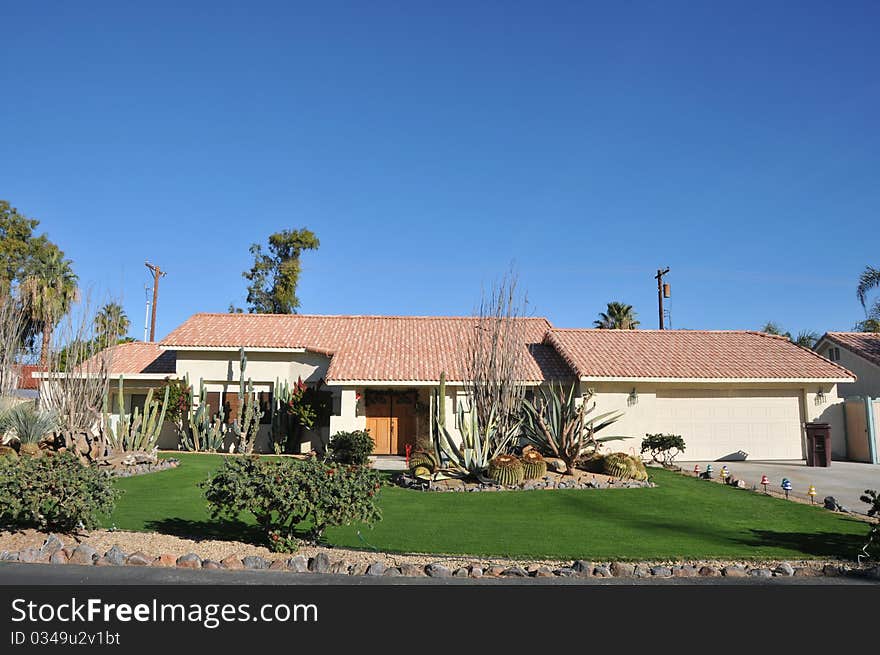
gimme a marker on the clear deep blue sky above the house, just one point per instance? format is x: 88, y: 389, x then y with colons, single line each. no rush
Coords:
x: 429, y: 145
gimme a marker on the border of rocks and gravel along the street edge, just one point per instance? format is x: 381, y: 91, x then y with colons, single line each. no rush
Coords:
x: 53, y: 551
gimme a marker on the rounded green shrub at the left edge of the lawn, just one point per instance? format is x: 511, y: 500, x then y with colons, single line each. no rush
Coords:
x: 54, y: 493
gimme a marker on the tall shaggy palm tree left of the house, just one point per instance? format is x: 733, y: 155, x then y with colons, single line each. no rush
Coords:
x: 49, y: 289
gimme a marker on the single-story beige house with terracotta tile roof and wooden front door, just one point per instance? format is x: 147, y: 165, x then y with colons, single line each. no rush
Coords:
x: 730, y: 394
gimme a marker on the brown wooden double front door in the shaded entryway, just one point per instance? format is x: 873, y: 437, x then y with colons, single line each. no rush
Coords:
x: 391, y: 420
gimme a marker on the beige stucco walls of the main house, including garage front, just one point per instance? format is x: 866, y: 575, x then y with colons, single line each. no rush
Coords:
x: 724, y: 419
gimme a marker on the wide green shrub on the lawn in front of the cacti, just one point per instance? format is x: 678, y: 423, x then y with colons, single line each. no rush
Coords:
x: 282, y: 494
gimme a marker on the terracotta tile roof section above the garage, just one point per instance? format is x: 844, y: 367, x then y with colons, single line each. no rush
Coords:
x: 687, y: 354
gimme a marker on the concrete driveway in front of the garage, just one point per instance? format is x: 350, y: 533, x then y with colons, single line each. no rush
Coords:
x: 846, y: 481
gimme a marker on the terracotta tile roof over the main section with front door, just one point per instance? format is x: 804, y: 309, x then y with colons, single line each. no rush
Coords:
x: 368, y: 348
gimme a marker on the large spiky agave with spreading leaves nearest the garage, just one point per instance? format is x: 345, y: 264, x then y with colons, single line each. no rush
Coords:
x: 558, y: 426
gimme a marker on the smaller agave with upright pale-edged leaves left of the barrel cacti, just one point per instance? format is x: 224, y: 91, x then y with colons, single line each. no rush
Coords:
x: 478, y: 447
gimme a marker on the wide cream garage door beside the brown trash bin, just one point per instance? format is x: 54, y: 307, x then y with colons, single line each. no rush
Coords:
x: 733, y: 424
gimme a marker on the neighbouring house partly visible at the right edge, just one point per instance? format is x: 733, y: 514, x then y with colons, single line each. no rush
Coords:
x: 860, y: 353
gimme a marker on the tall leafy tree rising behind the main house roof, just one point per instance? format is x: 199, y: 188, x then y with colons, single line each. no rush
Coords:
x: 274, y: 276
